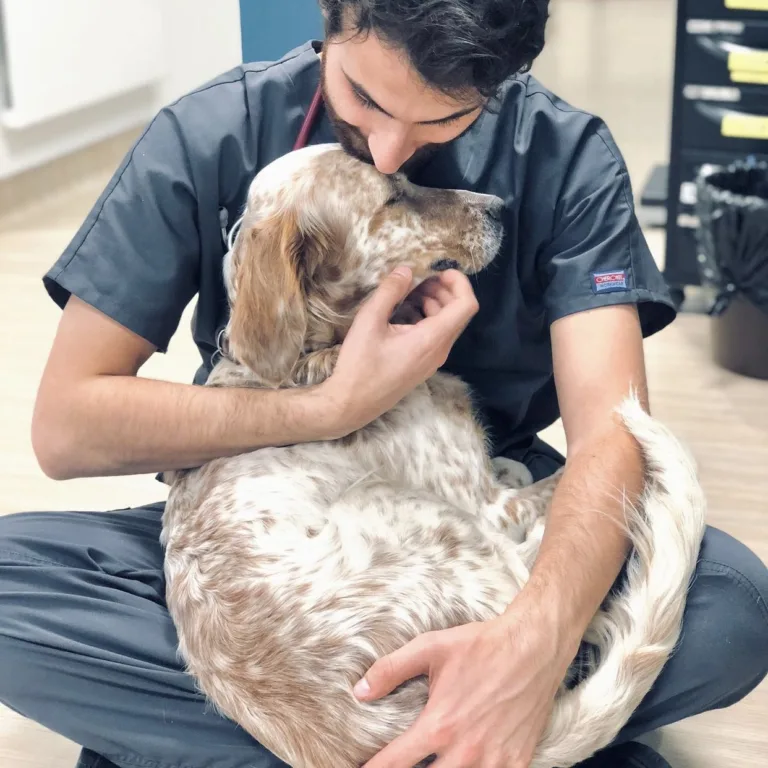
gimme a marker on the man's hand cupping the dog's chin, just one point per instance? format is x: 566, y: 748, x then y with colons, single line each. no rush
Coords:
x: 380, y: 362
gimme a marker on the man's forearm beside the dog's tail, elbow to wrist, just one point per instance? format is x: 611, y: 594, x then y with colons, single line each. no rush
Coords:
x: 586, y: 542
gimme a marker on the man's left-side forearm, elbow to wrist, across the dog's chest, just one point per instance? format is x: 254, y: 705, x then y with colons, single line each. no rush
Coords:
x: 119, y: 425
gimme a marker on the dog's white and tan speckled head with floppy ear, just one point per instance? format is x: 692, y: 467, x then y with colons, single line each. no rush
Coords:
x: 320, y: 231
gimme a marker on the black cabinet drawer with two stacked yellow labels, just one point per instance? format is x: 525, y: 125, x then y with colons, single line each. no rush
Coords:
x: 726, y: 52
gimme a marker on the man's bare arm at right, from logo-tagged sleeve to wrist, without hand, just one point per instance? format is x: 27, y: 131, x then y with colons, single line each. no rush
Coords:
x: 598, y: 359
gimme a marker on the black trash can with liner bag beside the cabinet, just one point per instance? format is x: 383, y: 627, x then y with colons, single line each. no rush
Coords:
x: 732, y: 236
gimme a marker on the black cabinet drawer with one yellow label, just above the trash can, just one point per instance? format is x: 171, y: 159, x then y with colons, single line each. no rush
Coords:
x: 724, y: 119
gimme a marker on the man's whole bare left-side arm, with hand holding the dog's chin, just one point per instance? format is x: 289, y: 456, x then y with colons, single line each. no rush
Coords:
x: 95, y: 416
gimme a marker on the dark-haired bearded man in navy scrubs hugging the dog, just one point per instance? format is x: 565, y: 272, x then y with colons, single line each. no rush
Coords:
x: 432, y: 87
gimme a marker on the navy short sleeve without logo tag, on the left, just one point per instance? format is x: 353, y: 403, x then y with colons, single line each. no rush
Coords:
x: 136, y: 257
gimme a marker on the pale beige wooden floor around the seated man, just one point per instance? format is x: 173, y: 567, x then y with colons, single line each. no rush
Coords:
x: 593, y: 62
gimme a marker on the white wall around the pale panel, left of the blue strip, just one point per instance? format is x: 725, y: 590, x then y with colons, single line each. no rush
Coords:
x: 201, y: 40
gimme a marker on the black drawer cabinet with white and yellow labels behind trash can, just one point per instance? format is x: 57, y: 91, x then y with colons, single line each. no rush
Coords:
x: 720, y: 109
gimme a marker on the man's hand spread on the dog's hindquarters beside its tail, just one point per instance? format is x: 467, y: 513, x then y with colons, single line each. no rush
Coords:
x: 492, y: 688
